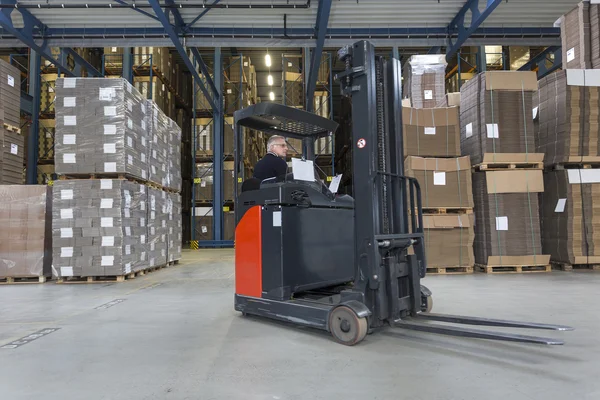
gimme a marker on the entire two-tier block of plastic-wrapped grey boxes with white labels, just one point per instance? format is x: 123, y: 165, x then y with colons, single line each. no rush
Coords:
x: 111, y: 210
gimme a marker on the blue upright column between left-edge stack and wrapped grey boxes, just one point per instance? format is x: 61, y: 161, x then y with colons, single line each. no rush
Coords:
x: 33, y: 143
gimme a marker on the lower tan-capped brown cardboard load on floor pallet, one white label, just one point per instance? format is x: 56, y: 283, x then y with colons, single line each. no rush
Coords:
x: 507, y: 222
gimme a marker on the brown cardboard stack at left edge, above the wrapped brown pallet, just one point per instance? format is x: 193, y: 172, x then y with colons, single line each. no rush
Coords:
x: 12, y: 155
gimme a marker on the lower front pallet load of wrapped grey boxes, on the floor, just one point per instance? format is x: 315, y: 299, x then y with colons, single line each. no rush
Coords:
x: 99, y: 227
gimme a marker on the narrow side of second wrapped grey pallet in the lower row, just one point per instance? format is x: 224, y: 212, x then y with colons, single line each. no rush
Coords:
x: 157, y: 227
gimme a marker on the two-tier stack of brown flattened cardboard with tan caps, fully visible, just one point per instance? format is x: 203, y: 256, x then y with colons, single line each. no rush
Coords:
x: 497, y: 133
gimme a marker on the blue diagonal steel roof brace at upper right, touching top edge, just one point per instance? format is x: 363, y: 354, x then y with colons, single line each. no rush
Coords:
x: 457, y: 25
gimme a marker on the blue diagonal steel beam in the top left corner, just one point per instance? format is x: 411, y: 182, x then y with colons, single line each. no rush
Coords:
x: 25, y: 35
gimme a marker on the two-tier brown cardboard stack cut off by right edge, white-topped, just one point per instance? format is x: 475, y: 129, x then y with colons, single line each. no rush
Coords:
x: 568, y: 135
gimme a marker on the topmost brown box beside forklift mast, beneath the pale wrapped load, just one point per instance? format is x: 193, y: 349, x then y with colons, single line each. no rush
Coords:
x: 431, y: 132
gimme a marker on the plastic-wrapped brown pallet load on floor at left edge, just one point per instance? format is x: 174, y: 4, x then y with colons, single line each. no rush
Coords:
x: 25, y: 237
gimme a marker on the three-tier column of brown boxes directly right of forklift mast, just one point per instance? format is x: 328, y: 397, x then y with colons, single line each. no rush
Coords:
x: 432, y: 156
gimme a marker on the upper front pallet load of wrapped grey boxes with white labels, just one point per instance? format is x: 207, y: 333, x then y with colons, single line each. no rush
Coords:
x: 100, y: 127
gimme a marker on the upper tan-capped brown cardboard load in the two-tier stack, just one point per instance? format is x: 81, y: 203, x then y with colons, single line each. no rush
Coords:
x: 495, y: 114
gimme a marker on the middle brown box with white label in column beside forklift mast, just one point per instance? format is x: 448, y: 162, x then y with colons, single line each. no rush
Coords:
x: 444, y: 182
